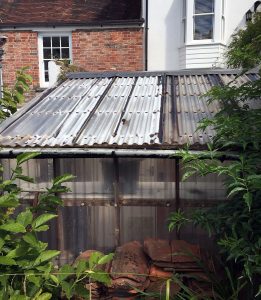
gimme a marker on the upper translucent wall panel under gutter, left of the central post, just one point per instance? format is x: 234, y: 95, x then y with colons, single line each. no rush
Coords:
x: 94, y: 177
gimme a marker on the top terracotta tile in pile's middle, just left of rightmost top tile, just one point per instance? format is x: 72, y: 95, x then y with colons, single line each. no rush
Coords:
x: 158, y: 250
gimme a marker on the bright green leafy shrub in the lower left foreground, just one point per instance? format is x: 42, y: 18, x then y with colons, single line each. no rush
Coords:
x: 27, y: 269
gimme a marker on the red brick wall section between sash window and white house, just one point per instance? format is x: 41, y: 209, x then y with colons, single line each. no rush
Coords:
x: 104, y: 50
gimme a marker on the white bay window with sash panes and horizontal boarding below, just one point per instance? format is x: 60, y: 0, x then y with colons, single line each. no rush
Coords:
x: 202, y: 42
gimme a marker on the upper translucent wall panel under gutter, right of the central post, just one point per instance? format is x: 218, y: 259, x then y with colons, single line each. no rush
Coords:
x: 147, y: 178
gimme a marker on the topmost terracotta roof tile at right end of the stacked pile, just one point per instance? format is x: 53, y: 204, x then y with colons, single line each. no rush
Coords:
x: 184, y: 252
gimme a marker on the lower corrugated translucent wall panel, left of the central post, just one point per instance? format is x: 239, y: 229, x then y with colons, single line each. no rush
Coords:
x: 85, y: 228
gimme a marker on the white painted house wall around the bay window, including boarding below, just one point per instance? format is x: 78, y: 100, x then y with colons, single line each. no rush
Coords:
x: 166, y: 50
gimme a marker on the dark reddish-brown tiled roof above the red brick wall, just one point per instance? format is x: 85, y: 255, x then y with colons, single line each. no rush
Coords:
x: 68, y: 12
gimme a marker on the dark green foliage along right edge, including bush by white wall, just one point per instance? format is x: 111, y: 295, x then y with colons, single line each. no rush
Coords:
x: 236, y: 223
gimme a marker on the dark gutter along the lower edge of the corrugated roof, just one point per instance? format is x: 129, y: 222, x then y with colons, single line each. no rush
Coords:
x: 98, y: 152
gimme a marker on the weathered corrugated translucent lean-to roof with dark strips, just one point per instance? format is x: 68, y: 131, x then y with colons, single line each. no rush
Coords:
x: 119, y: 110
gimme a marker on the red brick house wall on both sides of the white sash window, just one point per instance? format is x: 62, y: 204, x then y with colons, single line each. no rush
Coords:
x: 96, y: 50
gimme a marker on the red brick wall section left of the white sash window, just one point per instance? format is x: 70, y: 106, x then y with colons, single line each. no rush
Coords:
x: 21, y: 50
